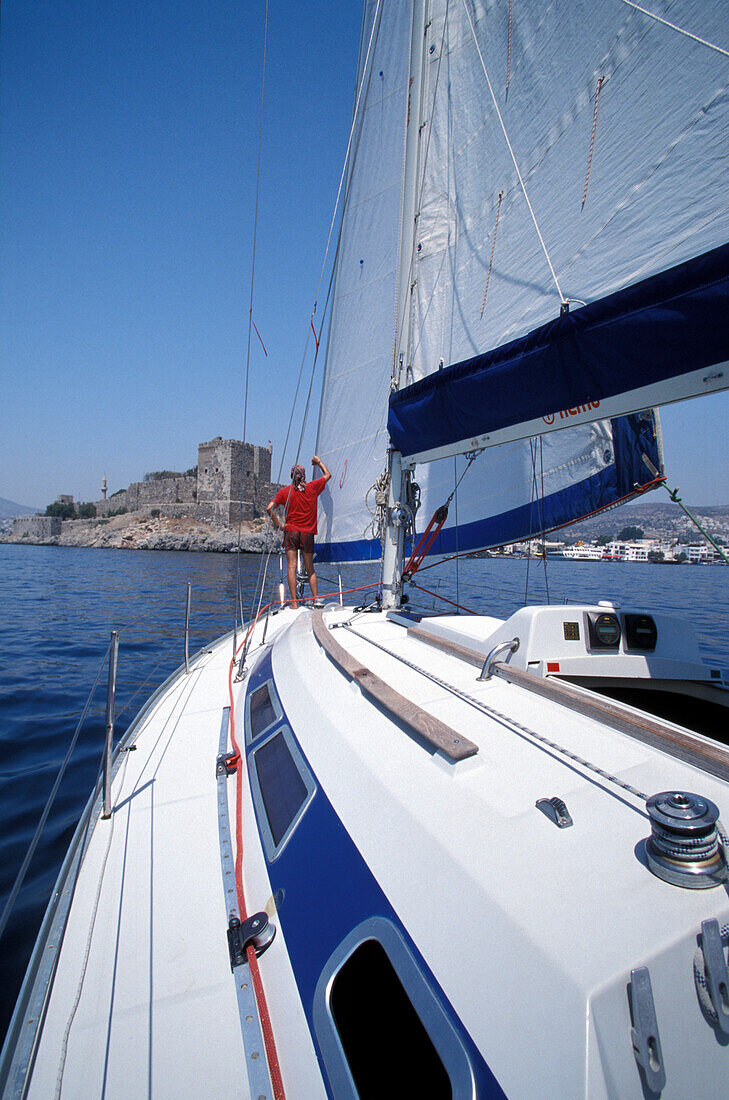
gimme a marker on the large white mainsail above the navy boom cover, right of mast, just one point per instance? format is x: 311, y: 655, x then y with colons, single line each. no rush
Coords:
x: 657, y: 193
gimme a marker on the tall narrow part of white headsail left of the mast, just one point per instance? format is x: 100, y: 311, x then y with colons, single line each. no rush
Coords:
x: 352, y: 437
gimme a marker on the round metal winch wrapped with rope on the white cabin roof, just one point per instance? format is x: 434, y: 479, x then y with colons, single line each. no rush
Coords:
x: 684, y: 848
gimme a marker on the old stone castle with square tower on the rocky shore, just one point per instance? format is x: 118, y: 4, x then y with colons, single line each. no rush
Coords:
x: 233, y: 483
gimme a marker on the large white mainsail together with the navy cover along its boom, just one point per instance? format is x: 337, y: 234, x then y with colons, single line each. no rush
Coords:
x: 609, y: 189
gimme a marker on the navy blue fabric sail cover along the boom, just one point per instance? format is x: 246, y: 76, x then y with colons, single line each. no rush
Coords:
x: 662, y: 329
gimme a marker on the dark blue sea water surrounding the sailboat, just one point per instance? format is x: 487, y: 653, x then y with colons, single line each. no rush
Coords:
x: 59, y: 607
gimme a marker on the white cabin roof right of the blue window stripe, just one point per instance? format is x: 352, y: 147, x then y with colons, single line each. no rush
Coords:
x: 555, y: 920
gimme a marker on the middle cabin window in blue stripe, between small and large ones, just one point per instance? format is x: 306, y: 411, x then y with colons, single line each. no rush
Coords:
x: 282, y: 787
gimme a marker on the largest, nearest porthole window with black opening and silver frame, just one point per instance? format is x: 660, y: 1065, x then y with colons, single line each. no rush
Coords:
x: 382, y: 1029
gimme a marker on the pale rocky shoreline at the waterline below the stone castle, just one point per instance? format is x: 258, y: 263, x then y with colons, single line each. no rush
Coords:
x: 142, y: 532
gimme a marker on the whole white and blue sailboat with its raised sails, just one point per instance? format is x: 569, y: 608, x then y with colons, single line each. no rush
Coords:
x: 378, y: 852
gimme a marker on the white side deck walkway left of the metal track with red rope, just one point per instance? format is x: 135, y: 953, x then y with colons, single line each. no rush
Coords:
x: 143, y: 1002
